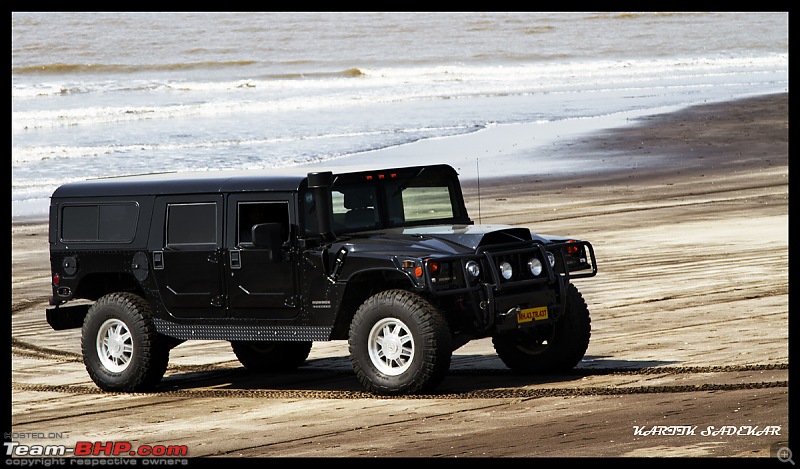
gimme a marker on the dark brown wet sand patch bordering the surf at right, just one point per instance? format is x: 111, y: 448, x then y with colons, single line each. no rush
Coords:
x: 728, y: 136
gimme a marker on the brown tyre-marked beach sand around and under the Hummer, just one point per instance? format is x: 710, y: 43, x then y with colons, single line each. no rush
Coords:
x: 690, y: 230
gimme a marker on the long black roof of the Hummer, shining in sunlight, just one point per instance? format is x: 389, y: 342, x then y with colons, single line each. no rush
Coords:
x: 219, y: 181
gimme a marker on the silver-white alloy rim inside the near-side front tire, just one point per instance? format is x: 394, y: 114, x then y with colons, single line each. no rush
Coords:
x: 391, y: 346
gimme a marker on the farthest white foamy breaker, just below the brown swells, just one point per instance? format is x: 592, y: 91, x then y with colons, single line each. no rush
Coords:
x: 527, y: 70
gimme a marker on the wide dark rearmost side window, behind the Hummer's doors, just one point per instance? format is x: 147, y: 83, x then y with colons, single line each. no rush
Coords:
x: 111, y: 222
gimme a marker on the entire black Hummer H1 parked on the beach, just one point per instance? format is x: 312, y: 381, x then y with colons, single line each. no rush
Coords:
x: 273, y: 261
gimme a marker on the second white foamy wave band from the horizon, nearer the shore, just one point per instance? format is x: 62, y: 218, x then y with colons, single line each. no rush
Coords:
x: 253, y: 97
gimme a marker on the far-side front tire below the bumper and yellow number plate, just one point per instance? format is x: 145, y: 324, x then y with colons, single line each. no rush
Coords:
x: 553, y: 348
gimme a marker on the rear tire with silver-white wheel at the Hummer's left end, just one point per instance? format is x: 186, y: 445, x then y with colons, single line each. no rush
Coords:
x: 121, y: 349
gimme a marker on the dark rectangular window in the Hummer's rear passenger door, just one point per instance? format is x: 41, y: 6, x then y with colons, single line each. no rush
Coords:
x: 194, y: 223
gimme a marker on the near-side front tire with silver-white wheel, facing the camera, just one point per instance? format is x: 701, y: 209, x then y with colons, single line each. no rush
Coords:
x: 399, y: 344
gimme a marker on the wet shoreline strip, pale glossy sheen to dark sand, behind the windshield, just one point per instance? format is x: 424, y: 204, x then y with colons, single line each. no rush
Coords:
x: 609, y: 145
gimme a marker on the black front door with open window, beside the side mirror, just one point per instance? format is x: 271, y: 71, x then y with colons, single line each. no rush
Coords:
x: 261, y: 282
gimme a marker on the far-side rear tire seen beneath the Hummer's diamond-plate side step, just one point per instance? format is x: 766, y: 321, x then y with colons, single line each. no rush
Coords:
x: 260, y: 356
